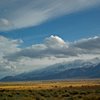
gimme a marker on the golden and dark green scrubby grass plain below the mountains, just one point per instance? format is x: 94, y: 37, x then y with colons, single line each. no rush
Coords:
x: 51, y: 90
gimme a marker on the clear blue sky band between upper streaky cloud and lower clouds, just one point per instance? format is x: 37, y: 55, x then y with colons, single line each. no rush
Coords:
x: 82, y: 24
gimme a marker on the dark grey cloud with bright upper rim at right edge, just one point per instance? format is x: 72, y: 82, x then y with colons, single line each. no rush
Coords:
x: 90, y: 45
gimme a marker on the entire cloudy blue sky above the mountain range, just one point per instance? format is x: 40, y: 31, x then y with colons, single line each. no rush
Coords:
x: 39, y: 33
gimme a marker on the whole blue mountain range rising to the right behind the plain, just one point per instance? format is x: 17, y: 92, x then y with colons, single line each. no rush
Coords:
x: 72, y: 70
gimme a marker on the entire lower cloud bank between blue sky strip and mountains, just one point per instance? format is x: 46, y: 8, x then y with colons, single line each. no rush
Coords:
x: 14, y: 59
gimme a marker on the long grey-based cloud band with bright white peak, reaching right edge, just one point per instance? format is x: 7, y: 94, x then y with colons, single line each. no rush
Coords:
x: 57, y: 47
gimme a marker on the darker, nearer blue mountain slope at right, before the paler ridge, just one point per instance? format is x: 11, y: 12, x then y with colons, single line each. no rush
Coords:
x: 87, y: 72
